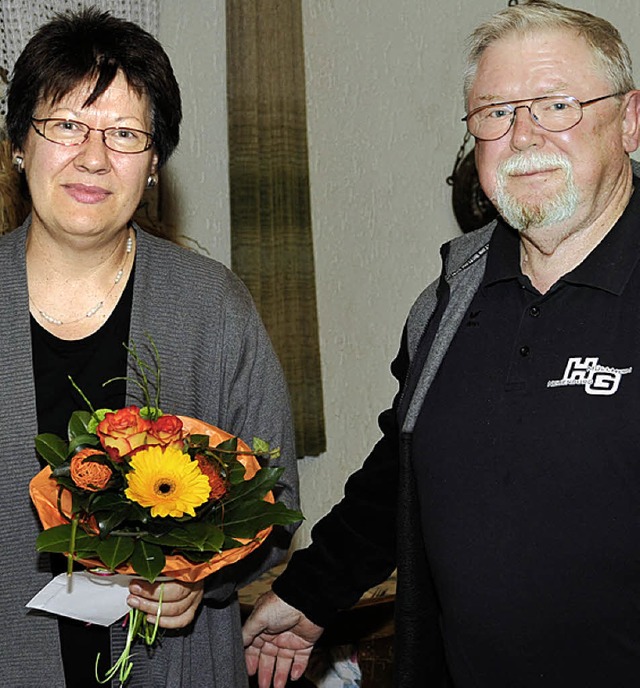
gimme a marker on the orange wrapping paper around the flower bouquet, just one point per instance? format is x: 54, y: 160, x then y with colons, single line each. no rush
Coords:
x: 44, y: 494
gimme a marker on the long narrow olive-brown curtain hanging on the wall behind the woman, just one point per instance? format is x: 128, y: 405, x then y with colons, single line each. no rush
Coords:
x: 271, y: 240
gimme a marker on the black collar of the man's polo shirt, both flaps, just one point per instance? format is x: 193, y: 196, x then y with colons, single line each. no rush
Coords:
x: 607, y: 267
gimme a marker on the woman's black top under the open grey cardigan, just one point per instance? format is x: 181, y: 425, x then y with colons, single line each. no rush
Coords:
x: 90, y: 362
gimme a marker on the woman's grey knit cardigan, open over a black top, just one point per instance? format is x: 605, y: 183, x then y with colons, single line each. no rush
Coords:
x: 217, y: 365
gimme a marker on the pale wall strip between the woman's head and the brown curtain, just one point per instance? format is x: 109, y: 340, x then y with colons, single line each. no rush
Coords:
x: 195, y: 183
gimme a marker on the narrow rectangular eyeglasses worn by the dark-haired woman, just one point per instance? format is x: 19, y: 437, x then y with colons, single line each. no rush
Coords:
x: 68, y: 132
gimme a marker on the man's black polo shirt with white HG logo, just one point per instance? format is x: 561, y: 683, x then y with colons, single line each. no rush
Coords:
x: 527, y: 455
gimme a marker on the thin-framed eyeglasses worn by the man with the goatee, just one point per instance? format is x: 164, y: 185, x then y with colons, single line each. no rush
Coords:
x: 552, y: 113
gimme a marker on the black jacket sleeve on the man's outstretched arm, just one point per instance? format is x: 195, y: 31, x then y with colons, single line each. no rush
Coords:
x: 354, y: 546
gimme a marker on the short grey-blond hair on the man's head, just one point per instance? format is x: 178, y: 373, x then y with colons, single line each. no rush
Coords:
x: 610, y: 54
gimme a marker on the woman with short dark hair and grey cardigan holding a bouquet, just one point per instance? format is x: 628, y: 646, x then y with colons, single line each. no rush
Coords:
x: 93, y: 113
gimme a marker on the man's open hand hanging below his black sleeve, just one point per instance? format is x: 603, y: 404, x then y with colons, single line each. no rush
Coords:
x: 278, y: 640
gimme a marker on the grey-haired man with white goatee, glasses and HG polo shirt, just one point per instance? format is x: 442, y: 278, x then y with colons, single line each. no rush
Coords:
x: 514, y: 436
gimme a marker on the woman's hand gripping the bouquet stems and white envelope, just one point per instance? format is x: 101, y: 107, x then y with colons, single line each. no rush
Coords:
x: 180, y: 601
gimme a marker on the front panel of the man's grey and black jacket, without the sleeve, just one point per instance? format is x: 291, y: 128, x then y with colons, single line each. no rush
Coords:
x: 431, y: 326
